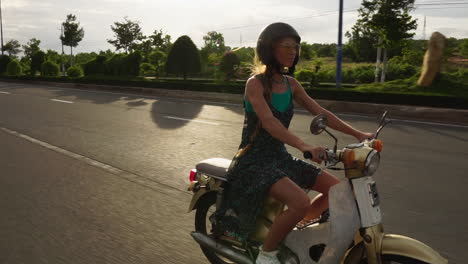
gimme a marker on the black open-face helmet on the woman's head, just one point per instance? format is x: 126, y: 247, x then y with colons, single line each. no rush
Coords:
x: 269, y: 35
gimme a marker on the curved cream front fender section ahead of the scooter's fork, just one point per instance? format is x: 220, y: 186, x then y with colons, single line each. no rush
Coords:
x: 408, y: 247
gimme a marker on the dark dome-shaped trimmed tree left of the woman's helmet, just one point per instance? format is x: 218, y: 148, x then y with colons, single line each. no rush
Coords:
x: 183, y: 58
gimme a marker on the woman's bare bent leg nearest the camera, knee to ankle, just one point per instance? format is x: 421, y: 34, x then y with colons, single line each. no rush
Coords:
x: 287, y: 192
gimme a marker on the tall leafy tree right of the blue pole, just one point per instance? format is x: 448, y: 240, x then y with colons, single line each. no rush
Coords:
x: 390, y: 21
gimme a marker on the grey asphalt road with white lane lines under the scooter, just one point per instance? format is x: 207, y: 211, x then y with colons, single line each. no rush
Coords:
x: 99, y: 177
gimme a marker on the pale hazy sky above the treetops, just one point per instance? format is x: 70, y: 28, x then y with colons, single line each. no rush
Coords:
x: 240, y: 21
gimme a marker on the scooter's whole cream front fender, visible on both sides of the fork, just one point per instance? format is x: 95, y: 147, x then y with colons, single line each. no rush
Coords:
x: 397, y: 245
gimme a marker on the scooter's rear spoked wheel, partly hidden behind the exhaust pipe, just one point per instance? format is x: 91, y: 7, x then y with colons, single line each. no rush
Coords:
x: 206, y: 207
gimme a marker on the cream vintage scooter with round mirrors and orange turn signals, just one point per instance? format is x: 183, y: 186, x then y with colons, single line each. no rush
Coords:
x: 351, y: 234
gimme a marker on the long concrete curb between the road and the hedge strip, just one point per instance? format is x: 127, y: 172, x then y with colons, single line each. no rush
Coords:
x: 417, y: 113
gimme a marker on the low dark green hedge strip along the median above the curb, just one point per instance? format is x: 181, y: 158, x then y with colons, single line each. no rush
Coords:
x: 397, y: 92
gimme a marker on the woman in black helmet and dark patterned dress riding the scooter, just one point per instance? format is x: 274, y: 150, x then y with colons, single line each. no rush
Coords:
x: 262, y: 165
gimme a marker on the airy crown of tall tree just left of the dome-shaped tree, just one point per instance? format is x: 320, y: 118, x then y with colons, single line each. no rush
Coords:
x: 127, y: 35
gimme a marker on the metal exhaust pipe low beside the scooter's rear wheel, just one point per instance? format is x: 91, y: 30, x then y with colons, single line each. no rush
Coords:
x: 226, y: 251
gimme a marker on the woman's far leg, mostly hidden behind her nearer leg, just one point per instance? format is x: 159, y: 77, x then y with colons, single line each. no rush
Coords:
x: 320, y: 203
